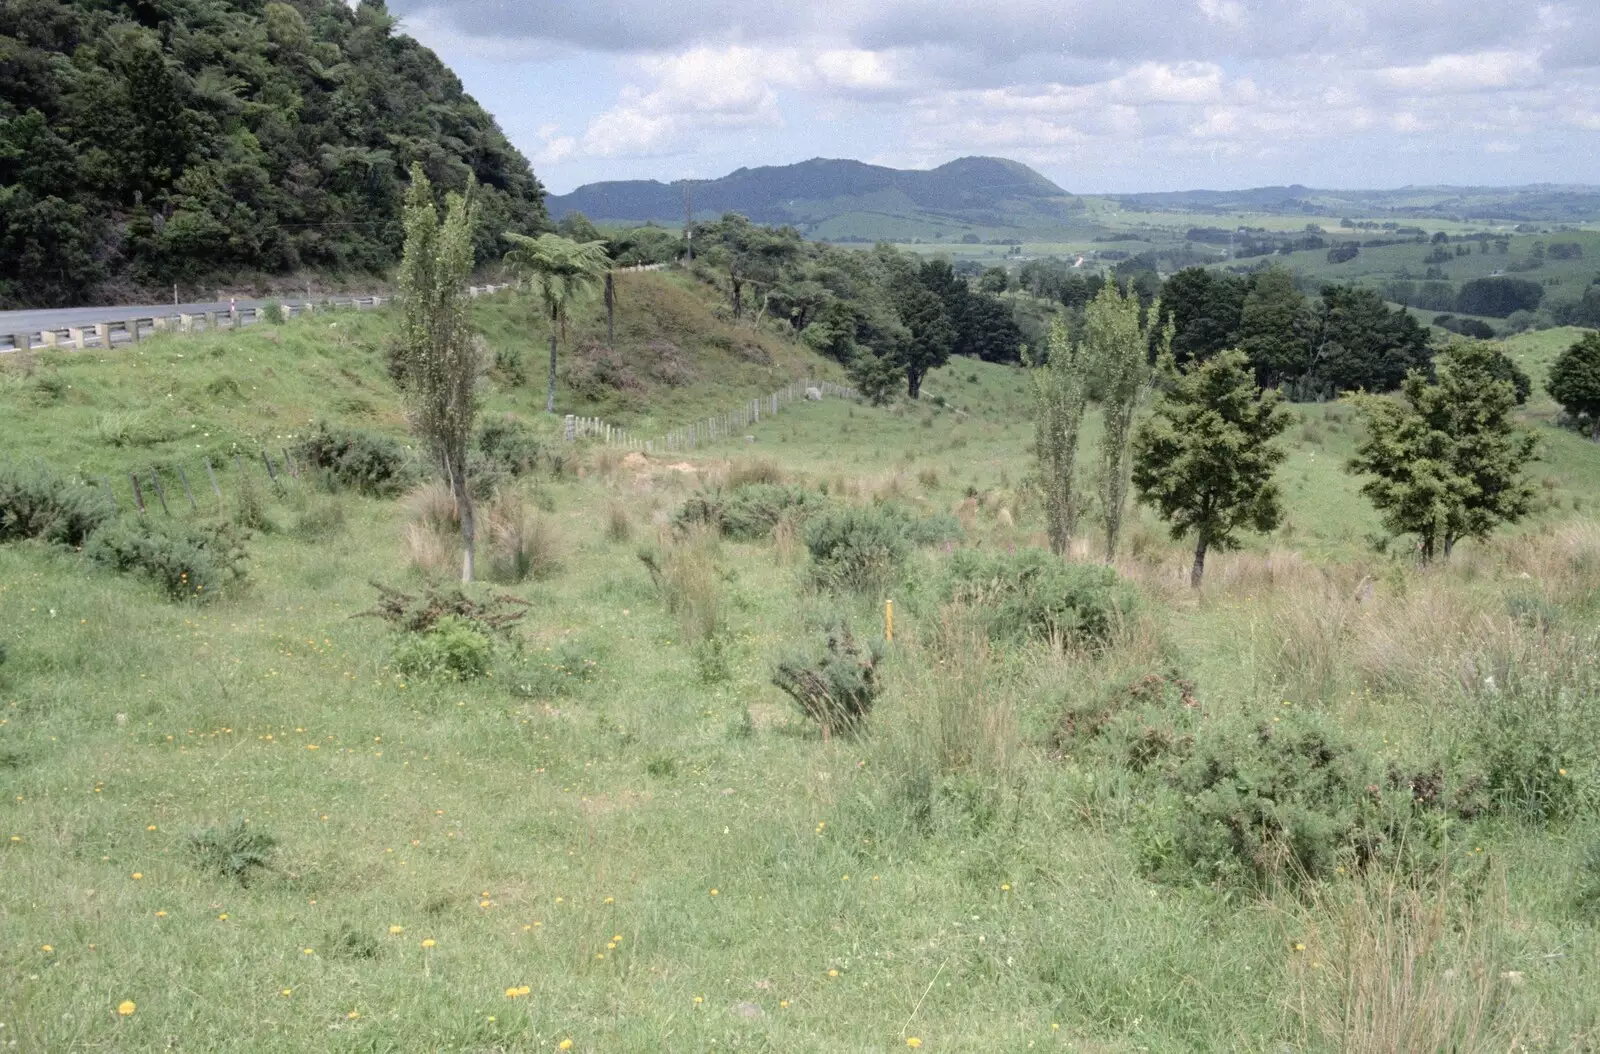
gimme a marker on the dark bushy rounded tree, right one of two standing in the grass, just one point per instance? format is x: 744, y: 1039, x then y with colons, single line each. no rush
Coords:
x: 1446, y: 460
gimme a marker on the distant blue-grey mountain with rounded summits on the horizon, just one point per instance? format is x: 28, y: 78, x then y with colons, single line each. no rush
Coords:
x: 842, y: 199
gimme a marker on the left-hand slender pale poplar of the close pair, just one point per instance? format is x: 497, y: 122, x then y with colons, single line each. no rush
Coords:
x: 1060, y: 393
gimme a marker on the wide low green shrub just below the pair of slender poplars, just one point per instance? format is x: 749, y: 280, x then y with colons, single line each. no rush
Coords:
x: 1034, y: 594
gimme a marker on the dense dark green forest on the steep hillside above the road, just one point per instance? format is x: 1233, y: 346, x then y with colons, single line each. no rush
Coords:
x: 146, y: 143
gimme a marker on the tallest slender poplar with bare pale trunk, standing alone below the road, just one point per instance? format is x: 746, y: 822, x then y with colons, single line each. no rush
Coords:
x: 438, y: 353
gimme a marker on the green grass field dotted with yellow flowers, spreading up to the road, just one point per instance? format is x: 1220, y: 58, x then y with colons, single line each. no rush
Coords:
x: 625, y: 839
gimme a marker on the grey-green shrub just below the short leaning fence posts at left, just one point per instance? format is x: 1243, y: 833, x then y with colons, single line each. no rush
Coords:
x: 186, y: 562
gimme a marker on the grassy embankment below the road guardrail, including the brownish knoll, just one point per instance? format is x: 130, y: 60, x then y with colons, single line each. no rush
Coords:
x: 182, y: 399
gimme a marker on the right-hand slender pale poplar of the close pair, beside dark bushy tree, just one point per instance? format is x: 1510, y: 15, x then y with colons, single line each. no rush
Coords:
x: 1118, y: 348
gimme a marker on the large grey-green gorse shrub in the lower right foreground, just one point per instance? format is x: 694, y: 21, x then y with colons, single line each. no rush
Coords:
x: 1282, y: 800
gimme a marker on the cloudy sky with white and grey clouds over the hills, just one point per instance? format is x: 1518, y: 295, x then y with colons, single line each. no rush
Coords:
x: 1098, y: 95
